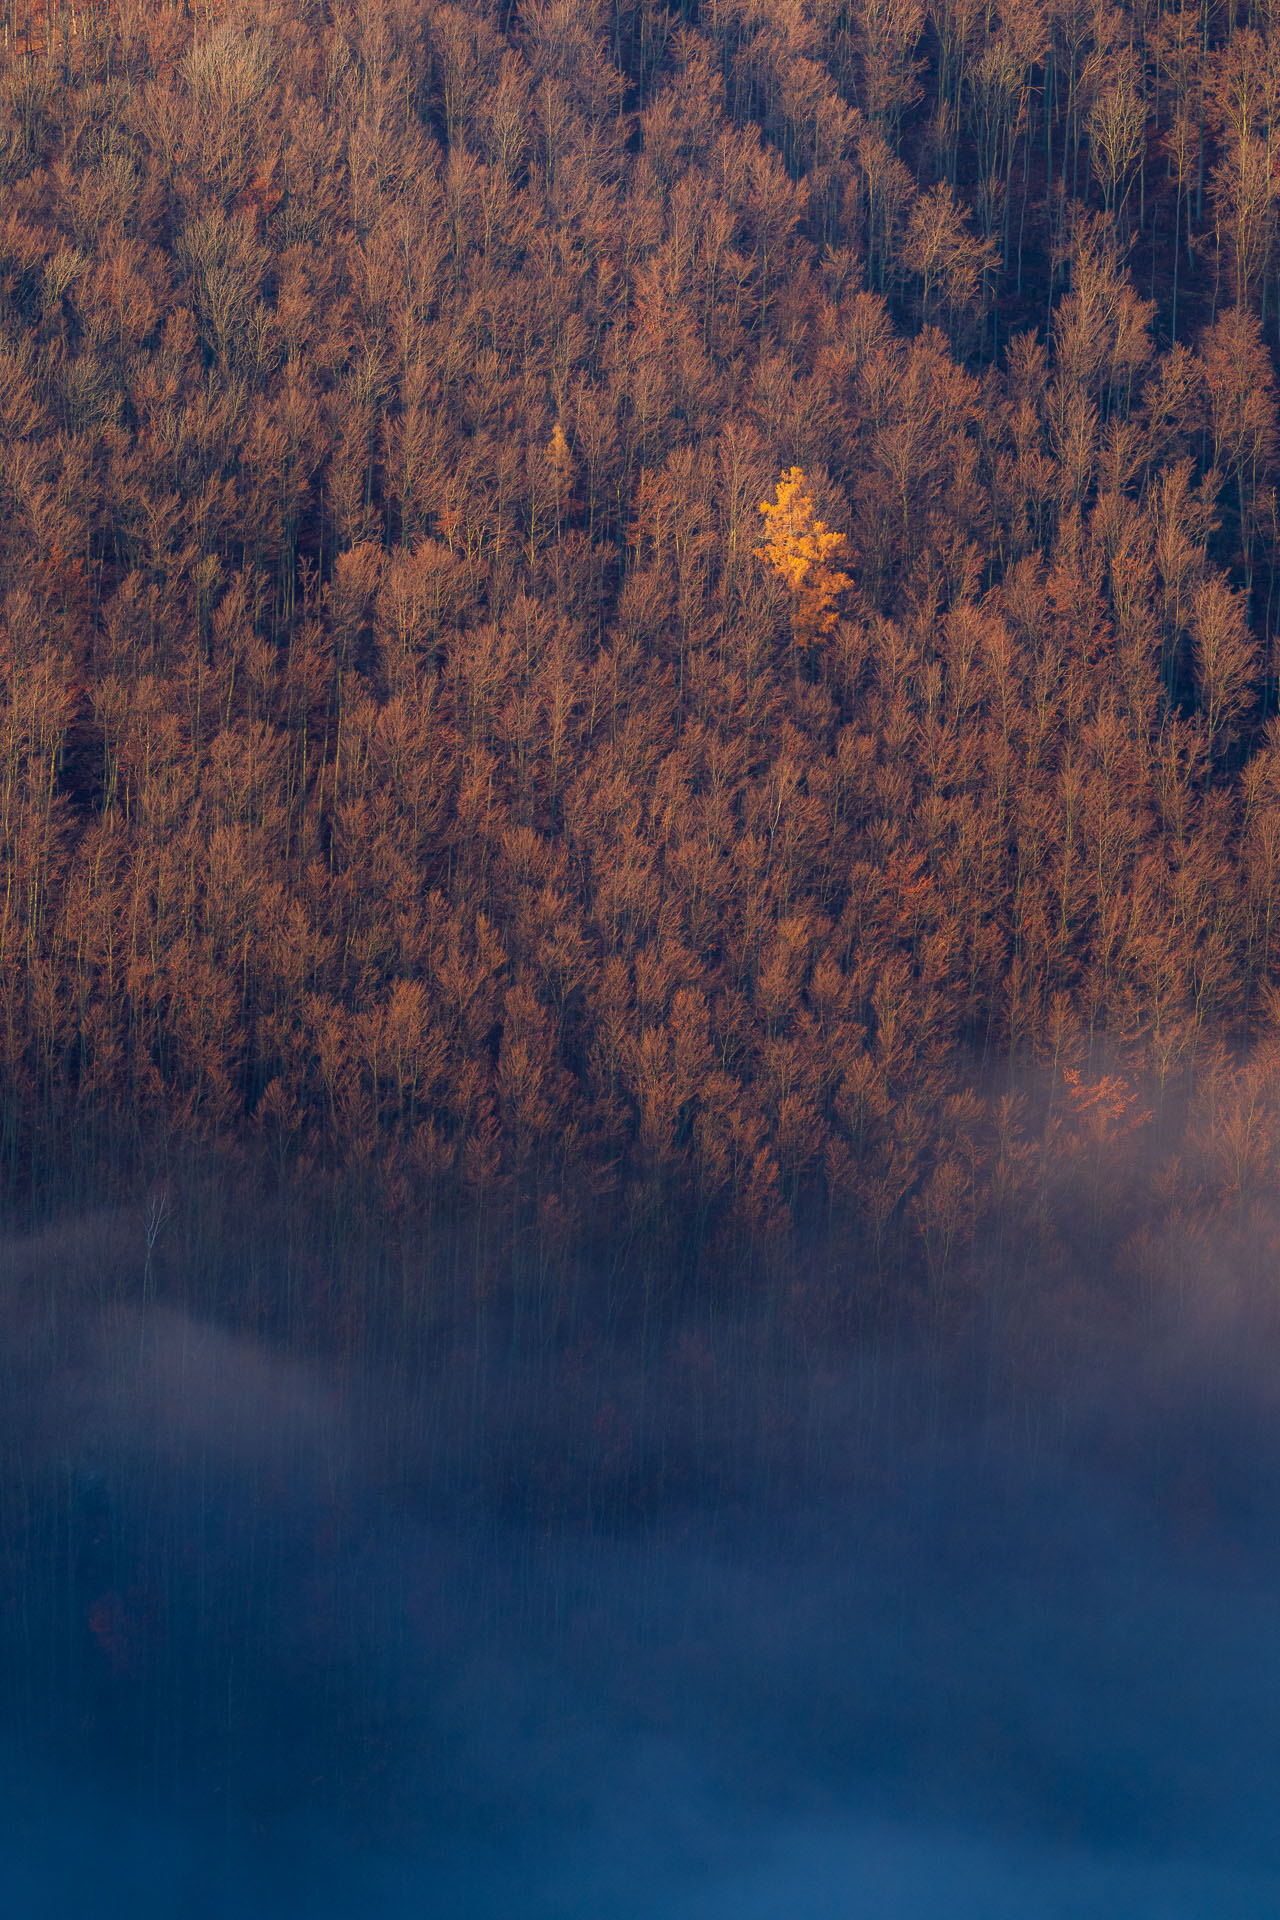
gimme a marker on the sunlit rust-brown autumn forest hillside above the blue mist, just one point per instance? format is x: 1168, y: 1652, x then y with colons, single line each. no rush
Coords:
x: 429, y: 775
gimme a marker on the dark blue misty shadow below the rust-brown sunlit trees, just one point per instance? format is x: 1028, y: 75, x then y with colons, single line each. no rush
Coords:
x: 713, y: 1635
